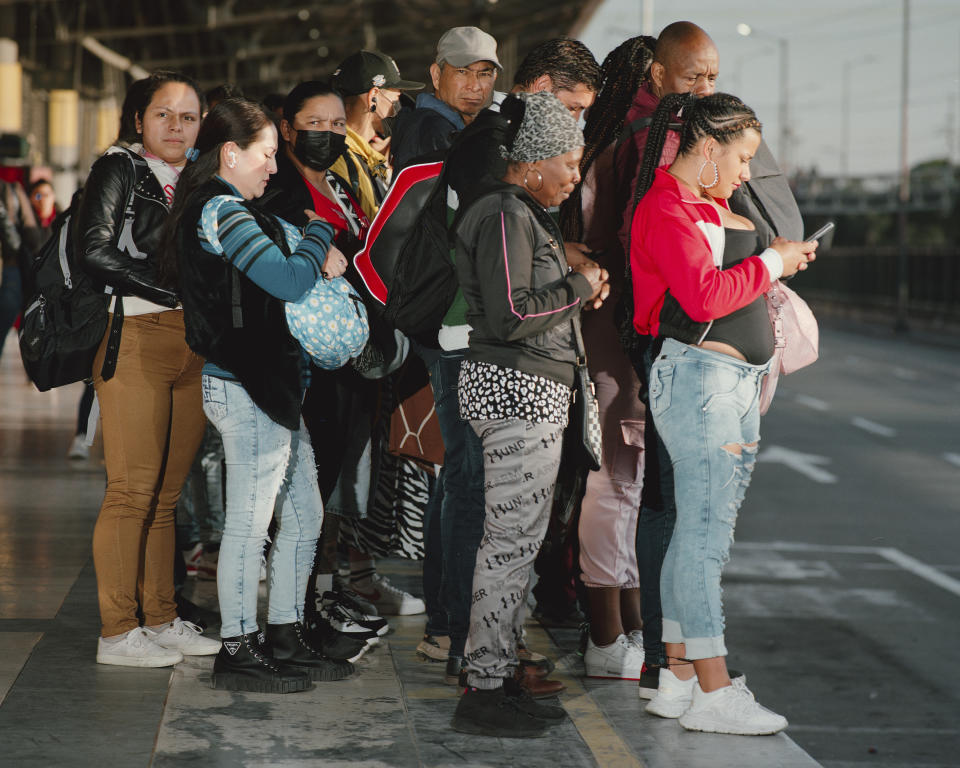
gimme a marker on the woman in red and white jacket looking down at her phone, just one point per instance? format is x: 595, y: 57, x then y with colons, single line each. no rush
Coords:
x: 699, y: 275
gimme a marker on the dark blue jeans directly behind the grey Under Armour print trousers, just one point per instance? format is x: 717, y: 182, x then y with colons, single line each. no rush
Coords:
x: 454, y: 524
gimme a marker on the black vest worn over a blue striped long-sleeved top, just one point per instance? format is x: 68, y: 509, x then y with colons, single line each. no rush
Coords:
x: 233, y: 322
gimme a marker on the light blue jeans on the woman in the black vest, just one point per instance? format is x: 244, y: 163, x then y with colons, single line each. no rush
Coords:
x: 268, y: 466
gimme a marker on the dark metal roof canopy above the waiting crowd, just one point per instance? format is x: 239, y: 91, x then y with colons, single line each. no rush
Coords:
x: 261, y: 47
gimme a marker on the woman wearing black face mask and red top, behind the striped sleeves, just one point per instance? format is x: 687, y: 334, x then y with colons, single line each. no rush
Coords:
x: 339, y: 406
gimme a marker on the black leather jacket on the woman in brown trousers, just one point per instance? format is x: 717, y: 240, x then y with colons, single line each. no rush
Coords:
x: 100, y: 220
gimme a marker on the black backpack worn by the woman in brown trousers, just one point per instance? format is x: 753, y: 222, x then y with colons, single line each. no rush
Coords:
x: 64, y: 321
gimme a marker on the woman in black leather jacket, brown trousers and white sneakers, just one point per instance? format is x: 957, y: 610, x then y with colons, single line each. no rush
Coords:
x: 146, y: 378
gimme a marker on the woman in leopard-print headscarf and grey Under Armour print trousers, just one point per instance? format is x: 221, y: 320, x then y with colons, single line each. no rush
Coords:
x: 523, y: 308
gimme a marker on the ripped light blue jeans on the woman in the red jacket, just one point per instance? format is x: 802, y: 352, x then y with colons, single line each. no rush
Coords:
x: 705, y: 407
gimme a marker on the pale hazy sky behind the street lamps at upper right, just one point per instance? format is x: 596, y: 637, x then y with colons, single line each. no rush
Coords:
x: 825, y: 40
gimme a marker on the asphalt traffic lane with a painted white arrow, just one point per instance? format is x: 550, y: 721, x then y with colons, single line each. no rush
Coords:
x: 878, y: 492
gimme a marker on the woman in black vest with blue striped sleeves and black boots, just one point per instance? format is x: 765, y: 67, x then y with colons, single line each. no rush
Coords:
x: 237, y: 266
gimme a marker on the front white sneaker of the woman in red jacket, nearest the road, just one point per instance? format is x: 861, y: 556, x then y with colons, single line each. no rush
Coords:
x: 731, y: 709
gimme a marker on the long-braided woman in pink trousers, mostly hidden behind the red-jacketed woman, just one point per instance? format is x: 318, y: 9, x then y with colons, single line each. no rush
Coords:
x: 611, y: 503
